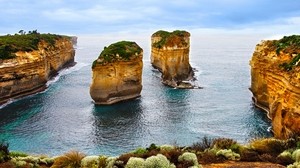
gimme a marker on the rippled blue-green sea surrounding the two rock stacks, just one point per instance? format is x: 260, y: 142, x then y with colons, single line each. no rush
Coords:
x: 64, y: 118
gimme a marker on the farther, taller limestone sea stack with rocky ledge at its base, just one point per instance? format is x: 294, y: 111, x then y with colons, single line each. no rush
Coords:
x: 170, y: 55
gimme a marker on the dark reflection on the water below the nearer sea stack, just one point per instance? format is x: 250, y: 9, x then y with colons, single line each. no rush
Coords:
x: 116, y: 126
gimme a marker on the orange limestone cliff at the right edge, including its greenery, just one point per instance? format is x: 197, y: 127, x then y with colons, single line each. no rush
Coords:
x: 275, y: 83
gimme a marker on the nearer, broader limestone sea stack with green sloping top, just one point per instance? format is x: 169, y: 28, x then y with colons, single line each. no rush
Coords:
x: 117, y: 73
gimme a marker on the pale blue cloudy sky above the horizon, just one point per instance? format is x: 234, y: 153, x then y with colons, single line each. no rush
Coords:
x: 109, y: 16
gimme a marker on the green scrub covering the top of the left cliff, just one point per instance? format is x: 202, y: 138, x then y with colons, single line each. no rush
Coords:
x: 10, y: 44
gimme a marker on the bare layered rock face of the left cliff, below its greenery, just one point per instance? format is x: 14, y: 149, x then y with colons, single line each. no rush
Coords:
x: 29, y: 72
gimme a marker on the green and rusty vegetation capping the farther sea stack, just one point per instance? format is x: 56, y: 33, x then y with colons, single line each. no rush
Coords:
x: 170, y: 38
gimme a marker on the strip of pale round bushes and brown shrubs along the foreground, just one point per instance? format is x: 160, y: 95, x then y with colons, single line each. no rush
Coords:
x: 205, y: 151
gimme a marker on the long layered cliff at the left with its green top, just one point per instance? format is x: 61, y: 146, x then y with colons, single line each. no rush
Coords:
x: 27, y: 62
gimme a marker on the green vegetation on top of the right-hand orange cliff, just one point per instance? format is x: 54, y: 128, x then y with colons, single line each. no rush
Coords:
x: 289, y: 44
